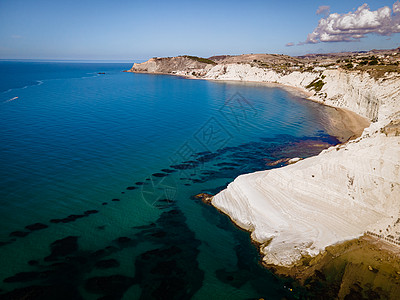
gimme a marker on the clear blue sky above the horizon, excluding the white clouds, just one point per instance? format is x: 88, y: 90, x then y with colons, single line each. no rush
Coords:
x: 134, y: 30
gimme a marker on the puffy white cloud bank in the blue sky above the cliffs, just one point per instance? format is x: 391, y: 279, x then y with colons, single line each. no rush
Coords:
x: 355, y: 24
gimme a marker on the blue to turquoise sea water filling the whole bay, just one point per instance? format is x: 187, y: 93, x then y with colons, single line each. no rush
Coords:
x: 98, y: 174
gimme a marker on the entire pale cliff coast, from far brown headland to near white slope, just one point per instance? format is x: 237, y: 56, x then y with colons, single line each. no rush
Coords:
x: 345, y: 191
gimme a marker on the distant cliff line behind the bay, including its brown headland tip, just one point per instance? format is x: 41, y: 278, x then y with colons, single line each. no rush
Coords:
x: 353, y: 90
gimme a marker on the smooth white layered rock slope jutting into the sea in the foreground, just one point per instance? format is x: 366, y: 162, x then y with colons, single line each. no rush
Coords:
x: 300, y: 209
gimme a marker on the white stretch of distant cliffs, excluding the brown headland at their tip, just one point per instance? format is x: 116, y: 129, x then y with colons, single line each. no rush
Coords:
x: 353, y: 90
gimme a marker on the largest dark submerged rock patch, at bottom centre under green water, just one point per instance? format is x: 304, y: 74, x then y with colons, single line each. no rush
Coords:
x: 170, y: 271
